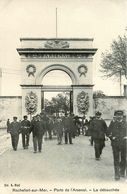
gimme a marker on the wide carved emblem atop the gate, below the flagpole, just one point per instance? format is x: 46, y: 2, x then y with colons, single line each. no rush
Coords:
x: 56, y: 44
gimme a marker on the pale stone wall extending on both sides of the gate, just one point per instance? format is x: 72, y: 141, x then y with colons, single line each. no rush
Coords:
x: 11, y: 106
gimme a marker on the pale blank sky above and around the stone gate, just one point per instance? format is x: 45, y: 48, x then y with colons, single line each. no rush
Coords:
x: 103, y: 20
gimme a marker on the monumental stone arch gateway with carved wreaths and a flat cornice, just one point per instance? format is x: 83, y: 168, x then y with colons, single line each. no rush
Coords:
x: 39, y: 56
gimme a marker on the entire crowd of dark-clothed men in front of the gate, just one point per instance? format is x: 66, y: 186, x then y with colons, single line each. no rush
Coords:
x: 71, y: 126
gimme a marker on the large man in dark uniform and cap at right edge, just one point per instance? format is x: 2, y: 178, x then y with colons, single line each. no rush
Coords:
x: 117, y: 133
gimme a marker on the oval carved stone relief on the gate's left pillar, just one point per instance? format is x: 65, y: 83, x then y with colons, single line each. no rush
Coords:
x: 31, y: 101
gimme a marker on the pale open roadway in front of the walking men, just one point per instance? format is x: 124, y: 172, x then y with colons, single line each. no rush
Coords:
x: 57, y: 165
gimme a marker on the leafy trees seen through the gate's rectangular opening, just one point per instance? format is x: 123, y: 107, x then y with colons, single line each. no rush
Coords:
x: 60, y: 103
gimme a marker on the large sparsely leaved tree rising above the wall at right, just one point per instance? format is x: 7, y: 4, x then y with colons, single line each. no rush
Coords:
x: 113, y: 62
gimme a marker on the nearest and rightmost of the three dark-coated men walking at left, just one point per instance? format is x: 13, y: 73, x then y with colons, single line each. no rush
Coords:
x: 37, y: 128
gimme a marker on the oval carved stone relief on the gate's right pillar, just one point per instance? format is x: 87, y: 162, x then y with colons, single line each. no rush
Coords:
x: 83, y: 102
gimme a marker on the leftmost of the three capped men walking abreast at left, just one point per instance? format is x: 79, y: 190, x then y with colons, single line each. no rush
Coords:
x: 15, y: 131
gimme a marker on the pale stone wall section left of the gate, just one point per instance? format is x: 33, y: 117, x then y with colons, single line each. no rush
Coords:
x: 9, y: 106
